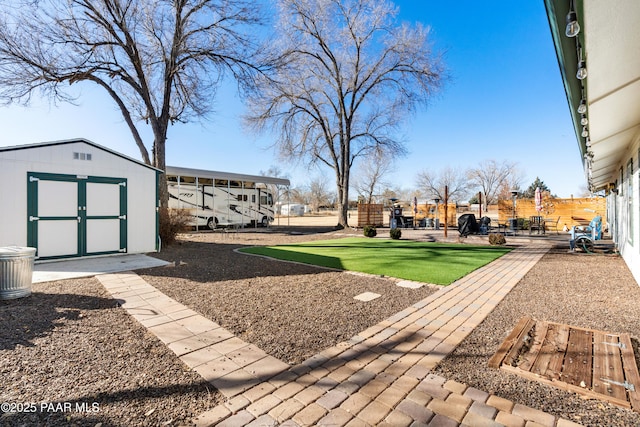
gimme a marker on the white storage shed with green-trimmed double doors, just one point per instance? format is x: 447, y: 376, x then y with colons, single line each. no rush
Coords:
x: 76, y: 198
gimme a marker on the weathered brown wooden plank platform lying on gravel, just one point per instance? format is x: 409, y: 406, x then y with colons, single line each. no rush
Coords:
x: 595, y: 364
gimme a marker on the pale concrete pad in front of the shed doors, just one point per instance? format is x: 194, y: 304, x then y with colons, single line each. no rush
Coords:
x: 87, y: 267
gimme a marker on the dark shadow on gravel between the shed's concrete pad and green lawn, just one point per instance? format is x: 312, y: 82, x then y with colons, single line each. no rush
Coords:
x: 213, y: 262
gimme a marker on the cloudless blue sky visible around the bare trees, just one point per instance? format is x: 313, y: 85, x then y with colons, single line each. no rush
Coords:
x: 505, y: 101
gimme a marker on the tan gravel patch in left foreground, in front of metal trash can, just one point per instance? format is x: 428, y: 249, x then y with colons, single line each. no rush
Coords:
x: 70, y: 348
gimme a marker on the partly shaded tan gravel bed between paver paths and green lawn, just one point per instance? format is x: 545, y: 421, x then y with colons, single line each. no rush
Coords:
x: 291, y: 311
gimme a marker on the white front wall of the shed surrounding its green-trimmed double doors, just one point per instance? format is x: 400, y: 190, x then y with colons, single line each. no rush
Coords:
x: 58, y: 158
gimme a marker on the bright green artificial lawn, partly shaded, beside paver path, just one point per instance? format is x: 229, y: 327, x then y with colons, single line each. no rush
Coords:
x: 438, y: 263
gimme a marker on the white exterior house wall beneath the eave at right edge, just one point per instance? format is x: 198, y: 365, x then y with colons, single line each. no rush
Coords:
x: 624, y: 205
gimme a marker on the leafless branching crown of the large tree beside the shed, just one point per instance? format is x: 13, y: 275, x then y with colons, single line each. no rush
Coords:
x: 160, y: 61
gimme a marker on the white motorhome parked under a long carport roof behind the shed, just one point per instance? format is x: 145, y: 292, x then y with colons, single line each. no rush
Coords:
x: 222, y: 199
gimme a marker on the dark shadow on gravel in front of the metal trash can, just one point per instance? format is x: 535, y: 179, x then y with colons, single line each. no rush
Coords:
x: 25, y: 319
